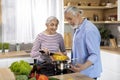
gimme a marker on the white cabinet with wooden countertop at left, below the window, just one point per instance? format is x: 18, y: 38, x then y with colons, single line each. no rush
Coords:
x: 6, y: 59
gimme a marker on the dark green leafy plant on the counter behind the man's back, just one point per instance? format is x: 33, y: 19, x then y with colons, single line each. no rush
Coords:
x: 105, y: 35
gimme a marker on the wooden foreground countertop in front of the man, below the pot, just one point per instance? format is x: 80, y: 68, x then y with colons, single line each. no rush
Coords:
x: 72, y: 76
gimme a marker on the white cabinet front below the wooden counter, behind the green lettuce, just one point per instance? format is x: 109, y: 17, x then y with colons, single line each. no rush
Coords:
x: 6, y: 62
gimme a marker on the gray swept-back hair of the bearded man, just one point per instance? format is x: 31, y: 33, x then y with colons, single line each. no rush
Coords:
x: 73, y: 10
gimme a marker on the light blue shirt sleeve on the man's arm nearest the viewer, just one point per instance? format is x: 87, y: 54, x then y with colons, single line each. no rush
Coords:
x: 93, y: 45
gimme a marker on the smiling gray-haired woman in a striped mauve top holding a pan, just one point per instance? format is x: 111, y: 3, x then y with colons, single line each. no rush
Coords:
x: 49, y: 41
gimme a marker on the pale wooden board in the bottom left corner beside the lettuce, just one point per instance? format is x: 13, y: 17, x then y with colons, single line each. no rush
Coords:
x: 6, y: 74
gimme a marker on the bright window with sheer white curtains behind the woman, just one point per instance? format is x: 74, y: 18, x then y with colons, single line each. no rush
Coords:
x: 22, y: 20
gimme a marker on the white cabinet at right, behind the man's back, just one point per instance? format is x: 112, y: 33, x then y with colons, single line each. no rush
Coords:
x: 111, y: 64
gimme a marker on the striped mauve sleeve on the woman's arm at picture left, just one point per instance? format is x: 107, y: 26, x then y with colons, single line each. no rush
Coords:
x: 36, y: 47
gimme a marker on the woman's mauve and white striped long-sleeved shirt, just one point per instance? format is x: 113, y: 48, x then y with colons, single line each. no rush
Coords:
x: 54, y: 43
